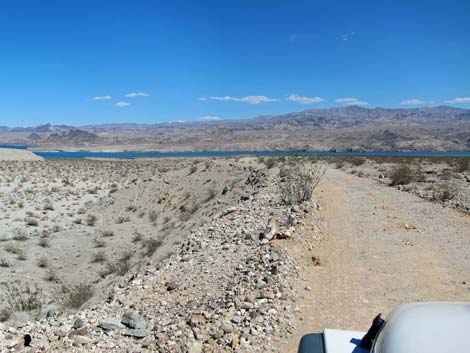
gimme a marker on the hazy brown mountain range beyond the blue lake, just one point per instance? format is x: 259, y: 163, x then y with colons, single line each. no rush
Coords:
x: 351, y: 127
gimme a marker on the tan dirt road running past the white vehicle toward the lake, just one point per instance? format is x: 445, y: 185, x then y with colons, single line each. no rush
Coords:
x: 382, y: 247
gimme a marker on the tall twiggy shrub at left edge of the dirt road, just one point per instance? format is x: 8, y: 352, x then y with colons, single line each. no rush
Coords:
x: 298, y: 182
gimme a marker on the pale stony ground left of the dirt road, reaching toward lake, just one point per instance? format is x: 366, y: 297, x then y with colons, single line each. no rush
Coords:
x: 220, y: 285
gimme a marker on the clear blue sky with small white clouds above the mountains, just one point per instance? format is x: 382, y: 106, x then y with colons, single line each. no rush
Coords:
x: 80, y: 61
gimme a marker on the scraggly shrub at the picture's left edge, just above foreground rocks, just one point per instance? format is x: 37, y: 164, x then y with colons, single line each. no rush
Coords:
x: 17, y: 298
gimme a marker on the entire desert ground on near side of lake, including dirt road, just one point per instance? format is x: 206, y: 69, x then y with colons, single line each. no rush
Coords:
x: 238, y: 254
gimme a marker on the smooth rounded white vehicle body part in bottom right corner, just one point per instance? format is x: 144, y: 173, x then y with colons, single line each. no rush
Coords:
x: 436, y: 327
